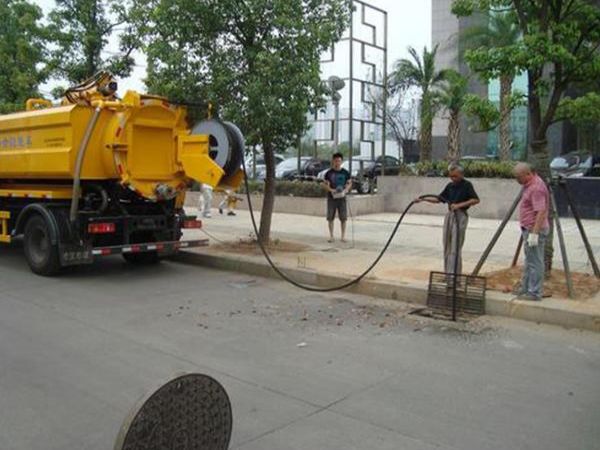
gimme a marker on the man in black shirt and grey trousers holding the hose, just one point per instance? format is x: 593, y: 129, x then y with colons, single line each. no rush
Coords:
x: 459, y: 195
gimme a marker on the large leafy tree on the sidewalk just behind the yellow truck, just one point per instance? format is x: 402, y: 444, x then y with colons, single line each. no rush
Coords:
x: 258, y: 61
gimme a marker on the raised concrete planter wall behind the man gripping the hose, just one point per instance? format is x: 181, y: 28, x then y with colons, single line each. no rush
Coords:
x: 496, y: 195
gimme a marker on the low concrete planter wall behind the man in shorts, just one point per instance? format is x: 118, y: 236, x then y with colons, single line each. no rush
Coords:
x: 359, y: 204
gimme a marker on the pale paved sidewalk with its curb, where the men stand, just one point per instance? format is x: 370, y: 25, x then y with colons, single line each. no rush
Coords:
x: 403, y: 272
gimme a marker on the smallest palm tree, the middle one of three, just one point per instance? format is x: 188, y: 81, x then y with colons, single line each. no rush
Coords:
x: 451, y: 97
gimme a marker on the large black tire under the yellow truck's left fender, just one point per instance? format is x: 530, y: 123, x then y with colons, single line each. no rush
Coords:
x: 40, y: 253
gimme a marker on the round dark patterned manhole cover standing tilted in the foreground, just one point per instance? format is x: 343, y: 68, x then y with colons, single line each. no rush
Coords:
x: 190, y: 412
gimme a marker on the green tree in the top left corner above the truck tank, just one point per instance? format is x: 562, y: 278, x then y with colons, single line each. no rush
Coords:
x: 22, y: 53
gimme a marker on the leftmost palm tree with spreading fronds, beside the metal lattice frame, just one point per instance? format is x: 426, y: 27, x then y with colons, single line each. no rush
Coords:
x: 420, y: 72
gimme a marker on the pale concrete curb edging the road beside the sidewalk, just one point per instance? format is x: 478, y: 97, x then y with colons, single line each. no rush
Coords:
x: 549, y: 311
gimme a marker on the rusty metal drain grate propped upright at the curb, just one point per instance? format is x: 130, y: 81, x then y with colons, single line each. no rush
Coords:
x: 470, y: 293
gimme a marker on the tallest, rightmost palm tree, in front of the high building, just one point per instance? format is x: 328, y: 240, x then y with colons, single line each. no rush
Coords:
x: 500, y: 30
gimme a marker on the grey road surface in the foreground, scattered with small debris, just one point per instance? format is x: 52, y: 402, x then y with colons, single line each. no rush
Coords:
x: 77, y: 352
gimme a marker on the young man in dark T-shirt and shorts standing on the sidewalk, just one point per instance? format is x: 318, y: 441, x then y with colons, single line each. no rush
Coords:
x: 338, y: 183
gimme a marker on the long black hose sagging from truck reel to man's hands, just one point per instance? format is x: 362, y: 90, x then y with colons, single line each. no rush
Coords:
x: 314, y: 288
